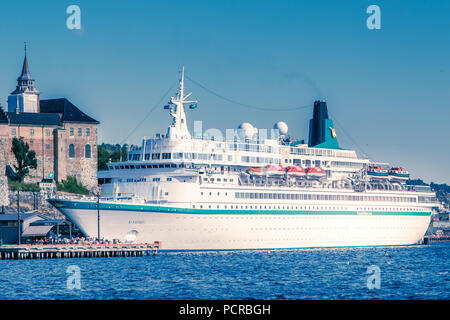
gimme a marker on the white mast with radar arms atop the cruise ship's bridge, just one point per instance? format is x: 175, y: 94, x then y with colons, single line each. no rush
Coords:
x: 178, y: 128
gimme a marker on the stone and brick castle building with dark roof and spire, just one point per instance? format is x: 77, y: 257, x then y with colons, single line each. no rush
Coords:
x: 63, y: 137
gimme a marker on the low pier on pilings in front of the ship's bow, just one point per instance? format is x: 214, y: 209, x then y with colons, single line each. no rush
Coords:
x: 91, y: 250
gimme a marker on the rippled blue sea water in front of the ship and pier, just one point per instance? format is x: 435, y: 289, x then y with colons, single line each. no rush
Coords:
x: 411, y: 272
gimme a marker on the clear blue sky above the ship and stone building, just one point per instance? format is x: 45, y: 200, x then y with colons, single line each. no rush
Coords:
x: 389, y: 89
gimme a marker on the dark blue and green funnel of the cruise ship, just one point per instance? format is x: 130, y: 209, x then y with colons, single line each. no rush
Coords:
x: 321, y: 129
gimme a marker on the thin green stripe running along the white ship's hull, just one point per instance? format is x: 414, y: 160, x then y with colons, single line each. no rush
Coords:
x: 146, y: 208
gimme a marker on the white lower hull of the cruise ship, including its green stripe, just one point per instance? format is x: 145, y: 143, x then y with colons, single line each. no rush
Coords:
x: 206, y: 230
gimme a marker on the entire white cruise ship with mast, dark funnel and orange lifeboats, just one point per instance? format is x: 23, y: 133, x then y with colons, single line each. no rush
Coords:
x: 252, y: 189
